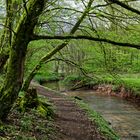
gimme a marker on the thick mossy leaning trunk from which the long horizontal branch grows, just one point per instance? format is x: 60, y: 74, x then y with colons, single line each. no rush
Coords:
x: 15, y: 70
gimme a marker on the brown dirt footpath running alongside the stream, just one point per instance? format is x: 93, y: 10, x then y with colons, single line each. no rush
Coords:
x: 71, y: 121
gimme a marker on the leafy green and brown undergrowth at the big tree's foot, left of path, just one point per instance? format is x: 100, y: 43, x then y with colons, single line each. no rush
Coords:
x: 29, y: 125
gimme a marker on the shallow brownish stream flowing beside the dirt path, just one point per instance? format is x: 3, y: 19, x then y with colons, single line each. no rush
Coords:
x: 123, y: 116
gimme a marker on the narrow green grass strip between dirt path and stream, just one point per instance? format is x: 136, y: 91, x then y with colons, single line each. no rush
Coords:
x: 102, y: 125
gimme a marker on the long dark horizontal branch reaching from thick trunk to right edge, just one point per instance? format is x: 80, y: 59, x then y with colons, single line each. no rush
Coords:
x: 39, y: 37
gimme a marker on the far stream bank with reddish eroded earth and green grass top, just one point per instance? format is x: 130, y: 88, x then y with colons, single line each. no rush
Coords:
x: 125, y: 87
